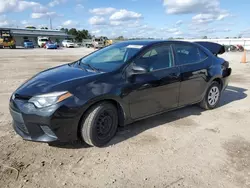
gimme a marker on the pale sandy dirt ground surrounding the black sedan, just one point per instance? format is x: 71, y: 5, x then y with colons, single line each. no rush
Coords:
x: 185, y: 148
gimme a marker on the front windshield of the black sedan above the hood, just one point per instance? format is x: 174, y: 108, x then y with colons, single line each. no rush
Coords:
x: 112, y: 57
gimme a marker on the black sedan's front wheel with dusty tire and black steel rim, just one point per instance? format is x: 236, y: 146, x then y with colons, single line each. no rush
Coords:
x: 99, y: 124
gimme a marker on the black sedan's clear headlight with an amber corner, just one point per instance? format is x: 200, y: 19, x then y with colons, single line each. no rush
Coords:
x: 41, y: 101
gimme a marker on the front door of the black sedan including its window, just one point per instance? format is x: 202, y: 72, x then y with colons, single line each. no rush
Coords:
x: 158, y: 89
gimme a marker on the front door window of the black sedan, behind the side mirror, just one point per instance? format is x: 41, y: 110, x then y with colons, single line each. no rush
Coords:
x: 156, y: 58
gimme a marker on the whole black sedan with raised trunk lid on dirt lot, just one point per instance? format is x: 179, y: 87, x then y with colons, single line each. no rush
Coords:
x: 117, y: 85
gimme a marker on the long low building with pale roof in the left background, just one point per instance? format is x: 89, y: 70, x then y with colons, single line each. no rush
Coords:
x: 32, y: 34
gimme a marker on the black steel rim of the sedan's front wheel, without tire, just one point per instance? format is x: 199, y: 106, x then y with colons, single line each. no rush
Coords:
x: 104, y: 125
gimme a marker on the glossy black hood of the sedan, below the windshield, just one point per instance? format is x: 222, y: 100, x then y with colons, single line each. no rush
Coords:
x: 55, y: 79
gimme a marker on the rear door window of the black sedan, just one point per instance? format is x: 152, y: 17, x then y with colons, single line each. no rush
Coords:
x: 188, y: 54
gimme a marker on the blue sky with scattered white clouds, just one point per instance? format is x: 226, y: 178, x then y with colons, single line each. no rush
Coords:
x: 133, y: 18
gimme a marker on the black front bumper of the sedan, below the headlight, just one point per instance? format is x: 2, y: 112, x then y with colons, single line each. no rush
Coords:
x: 57, y: 122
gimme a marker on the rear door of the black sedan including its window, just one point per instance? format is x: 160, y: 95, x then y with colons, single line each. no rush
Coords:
x: 194, y: 64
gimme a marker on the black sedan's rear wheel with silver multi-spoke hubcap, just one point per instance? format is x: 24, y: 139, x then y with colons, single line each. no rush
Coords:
x: 212, y: 97
